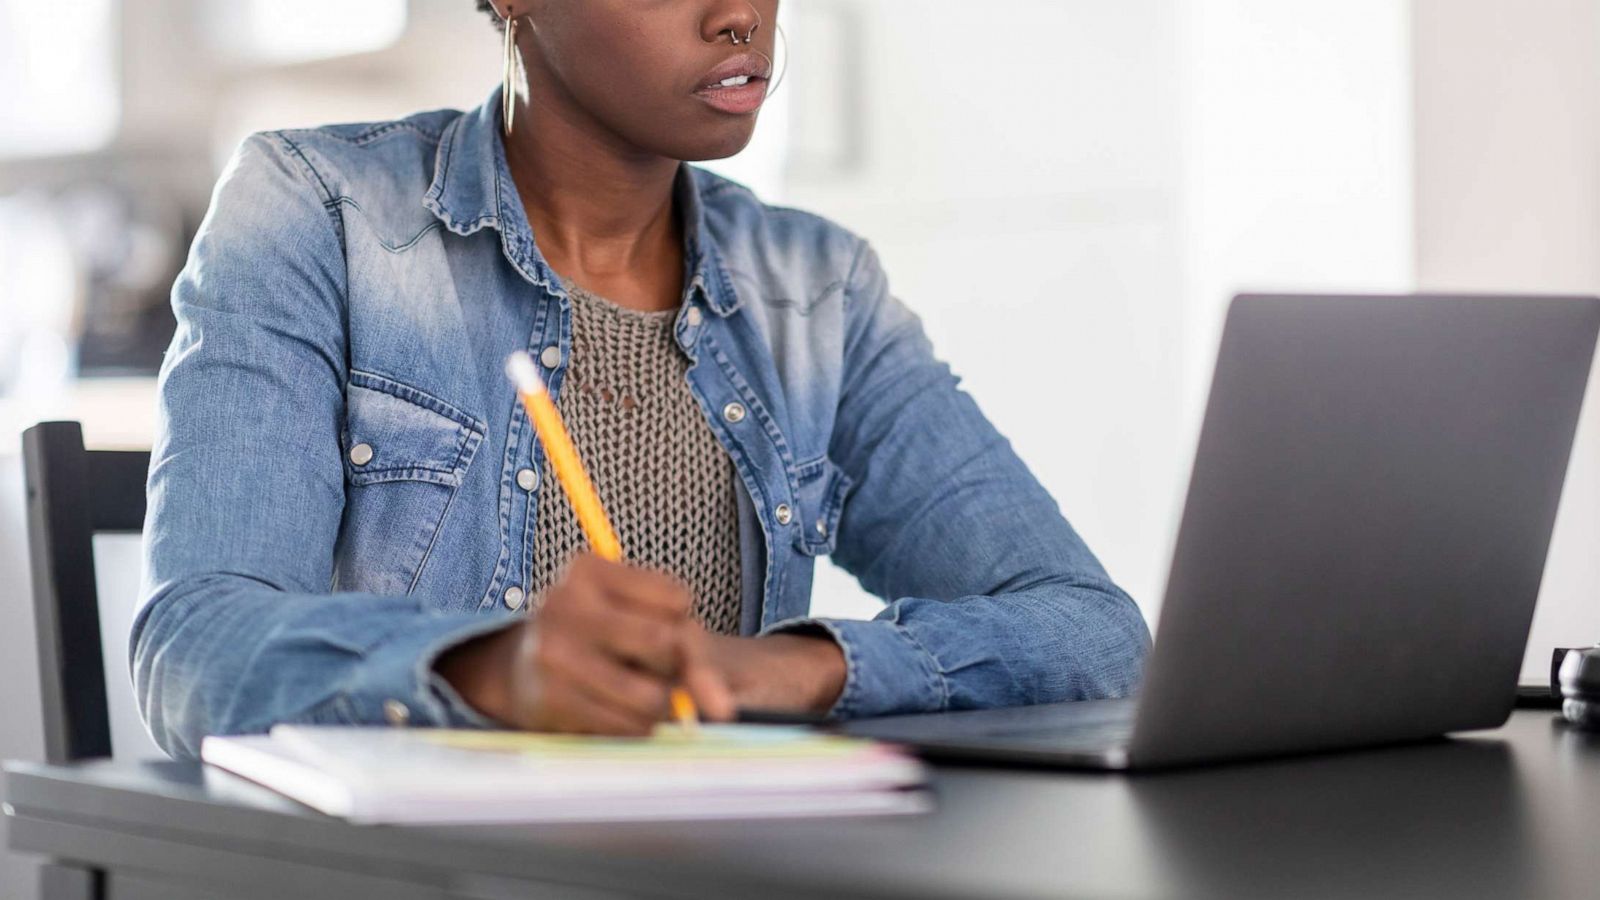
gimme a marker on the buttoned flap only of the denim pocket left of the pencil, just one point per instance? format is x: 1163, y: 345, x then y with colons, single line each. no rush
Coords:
x: 398, y: 433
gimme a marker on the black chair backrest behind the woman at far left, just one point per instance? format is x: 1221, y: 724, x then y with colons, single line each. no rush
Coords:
x: 74, y: 494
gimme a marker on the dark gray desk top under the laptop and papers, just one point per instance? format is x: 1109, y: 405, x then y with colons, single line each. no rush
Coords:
x: 1505, y: 814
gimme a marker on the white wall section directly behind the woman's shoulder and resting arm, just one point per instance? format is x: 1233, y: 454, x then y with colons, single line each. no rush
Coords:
x: 1018, y: 171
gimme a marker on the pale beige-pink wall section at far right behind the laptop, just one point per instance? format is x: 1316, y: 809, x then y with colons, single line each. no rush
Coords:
x: 1508, y: 171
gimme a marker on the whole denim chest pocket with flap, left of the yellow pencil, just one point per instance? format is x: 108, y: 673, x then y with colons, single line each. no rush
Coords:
x: 406, y: 456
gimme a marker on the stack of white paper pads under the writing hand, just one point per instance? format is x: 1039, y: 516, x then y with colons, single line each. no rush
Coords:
x: 422, y: 776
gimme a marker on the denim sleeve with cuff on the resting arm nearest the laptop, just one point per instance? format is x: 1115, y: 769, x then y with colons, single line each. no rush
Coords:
x: 993, y: 598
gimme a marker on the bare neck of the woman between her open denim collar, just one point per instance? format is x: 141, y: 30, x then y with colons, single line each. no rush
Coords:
x: 602, y: 214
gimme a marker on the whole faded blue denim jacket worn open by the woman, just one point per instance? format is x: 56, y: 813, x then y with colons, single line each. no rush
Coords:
x: 362, y: 286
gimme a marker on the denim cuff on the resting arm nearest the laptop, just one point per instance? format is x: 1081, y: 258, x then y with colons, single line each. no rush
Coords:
x: 886, y: 669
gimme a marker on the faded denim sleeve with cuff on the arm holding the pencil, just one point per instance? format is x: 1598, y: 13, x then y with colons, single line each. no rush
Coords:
x: 241, y: 627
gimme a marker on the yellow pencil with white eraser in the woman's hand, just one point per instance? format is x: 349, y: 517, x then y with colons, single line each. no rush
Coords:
x: 575, y: 481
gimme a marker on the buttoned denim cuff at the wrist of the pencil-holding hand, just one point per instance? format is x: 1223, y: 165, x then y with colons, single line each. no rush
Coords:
x: 401, y: 675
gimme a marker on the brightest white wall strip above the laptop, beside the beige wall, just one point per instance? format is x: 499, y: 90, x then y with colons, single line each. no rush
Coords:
x: 1297, y: 158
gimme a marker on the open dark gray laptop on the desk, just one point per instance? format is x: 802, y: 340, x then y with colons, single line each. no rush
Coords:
x: 1362, y: 545
